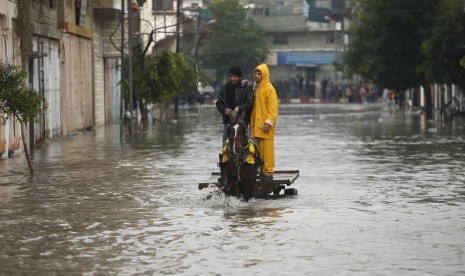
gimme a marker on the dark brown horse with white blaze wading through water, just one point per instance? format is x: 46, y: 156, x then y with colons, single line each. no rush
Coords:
x: 239, y: 161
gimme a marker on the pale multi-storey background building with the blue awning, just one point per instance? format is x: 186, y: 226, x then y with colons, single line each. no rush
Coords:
x: 303, y: 38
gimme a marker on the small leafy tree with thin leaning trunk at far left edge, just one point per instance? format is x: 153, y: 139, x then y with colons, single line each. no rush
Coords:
x: 18, y: 100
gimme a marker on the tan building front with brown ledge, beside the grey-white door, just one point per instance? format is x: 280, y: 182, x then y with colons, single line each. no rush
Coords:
x: 75, y: 20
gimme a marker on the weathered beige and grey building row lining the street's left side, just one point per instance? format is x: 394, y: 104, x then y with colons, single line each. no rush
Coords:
x: 72, y: 61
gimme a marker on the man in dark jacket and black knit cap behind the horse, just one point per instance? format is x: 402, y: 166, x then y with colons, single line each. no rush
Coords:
x: 234, y: 97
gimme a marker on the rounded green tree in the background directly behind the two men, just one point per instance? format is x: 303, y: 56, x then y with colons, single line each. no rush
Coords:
x: 233, y: 39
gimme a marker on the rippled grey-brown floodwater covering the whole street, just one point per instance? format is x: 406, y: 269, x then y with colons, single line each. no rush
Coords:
x: 379, y: 194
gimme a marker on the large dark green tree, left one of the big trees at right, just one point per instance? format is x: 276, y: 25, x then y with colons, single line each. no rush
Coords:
x: 386, y: 43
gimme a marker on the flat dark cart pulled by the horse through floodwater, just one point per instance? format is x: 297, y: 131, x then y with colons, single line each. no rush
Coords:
x: 262, y: 188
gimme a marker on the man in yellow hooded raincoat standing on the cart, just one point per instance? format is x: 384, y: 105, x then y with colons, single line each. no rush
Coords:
x: 263, y: 118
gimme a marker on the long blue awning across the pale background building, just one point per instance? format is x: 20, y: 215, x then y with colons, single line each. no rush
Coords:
x: 307, y: 59
